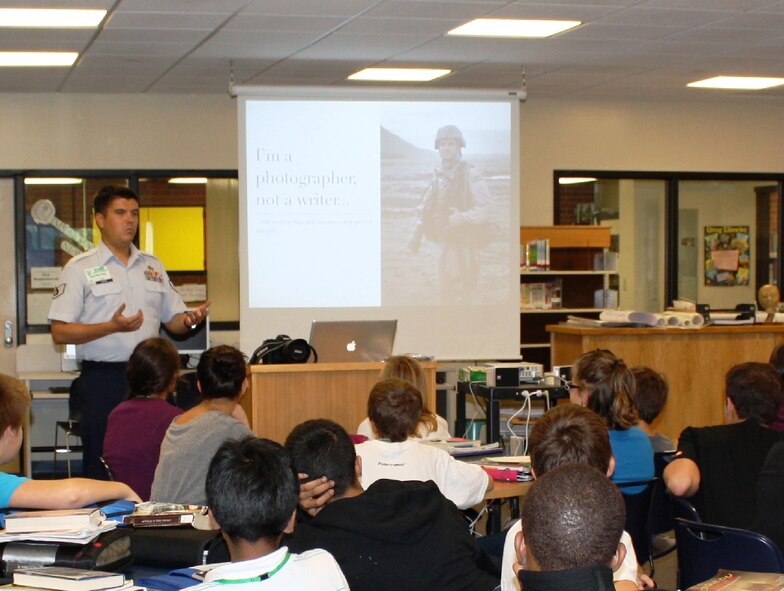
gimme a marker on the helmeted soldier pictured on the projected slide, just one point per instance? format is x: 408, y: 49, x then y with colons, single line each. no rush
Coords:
x: 453, y: 214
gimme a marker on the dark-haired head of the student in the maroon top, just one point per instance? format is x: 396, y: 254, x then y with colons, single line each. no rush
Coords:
x: 153, y: 367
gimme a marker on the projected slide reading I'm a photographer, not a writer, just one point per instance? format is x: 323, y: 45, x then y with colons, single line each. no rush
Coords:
x: 367, y: 203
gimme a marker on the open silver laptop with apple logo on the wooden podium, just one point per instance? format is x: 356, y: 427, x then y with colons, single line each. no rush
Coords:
x: 352, y: 340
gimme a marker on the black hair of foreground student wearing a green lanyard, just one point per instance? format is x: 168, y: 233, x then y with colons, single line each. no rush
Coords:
x: 252, y: 488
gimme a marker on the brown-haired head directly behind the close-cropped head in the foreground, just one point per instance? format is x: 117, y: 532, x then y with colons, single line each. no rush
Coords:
x: 569, y: 434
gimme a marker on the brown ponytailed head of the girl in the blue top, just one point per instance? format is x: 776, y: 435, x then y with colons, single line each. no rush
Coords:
x: 610, y: 386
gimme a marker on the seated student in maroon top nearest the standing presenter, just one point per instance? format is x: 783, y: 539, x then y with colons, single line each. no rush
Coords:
x: 137, y: 426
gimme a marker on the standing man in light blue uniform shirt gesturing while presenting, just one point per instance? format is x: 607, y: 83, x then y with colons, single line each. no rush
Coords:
x: 108, y: 300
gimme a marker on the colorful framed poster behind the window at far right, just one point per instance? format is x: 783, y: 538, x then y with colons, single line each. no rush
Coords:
x: 727, y: 253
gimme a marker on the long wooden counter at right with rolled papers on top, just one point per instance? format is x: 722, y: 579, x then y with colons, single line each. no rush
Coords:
x: 694, y: 361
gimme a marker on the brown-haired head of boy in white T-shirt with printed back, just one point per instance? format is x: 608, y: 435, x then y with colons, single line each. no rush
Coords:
x: 394, y: 409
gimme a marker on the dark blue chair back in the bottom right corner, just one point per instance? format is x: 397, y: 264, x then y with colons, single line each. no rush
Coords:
x: 704, y: 548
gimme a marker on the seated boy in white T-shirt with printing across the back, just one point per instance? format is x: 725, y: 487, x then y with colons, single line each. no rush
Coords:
x: 395, y: 408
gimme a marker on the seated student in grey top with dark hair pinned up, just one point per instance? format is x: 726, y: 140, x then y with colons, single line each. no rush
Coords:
x: 194, y: 436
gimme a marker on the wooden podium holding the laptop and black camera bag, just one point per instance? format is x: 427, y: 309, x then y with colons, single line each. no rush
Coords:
x: 282, y: 396
